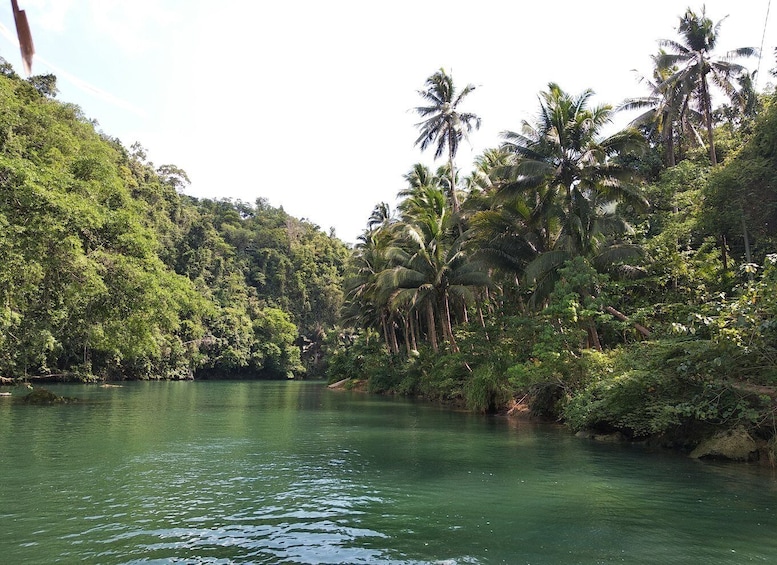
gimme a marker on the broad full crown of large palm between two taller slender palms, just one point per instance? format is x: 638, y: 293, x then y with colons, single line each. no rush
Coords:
x: 568, y: 169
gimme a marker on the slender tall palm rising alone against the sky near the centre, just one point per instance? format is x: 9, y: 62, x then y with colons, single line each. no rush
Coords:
x: 444, y: 125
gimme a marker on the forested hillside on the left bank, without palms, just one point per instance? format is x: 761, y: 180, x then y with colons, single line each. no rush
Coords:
x: 107, y: 270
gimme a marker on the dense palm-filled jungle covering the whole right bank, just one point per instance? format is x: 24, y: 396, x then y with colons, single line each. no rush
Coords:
x: 622, y: 282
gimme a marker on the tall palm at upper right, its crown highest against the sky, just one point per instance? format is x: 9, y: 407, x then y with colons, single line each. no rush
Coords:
x: 696, y: 67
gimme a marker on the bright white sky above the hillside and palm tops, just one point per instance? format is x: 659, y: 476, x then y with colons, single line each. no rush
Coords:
x: 309, y: 103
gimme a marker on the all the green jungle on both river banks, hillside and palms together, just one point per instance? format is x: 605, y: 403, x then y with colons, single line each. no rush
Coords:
x: 620, y: 281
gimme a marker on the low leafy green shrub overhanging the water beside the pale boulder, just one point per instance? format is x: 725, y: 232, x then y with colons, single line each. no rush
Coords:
x: 678, y: 385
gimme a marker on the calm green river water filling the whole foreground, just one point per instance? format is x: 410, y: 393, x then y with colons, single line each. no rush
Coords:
x: 290, y: 472
